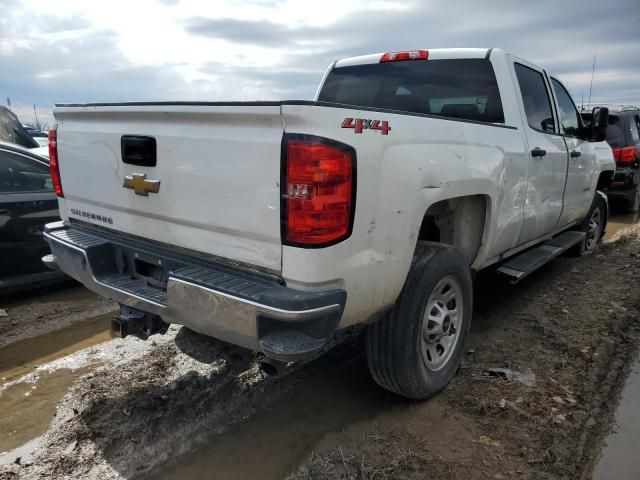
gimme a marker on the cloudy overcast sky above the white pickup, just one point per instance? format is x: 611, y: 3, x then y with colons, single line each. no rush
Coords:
x: 112, y: 50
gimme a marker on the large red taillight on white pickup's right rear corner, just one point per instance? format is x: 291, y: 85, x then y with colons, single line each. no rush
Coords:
x: 318, y: 191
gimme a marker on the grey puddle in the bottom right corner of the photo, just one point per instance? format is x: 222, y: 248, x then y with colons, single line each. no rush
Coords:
x: 620, y: 458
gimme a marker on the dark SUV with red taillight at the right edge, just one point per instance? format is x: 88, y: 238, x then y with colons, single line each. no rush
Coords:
x: 623, y: 135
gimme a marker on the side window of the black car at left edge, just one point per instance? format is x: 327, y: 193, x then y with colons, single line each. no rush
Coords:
x: 19, y: 173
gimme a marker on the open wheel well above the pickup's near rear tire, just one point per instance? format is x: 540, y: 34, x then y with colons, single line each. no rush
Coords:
x: 458, y: 222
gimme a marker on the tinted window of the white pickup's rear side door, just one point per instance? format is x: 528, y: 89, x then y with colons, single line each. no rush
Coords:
x: 537, y: 105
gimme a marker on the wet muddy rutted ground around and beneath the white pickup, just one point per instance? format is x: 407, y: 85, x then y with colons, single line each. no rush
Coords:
x: 184, y: 406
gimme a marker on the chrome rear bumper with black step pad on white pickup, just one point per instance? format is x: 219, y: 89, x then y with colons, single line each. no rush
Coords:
x: 232, y: 304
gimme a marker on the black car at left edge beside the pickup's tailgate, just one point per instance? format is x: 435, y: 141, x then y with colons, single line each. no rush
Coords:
x: 27, y: 203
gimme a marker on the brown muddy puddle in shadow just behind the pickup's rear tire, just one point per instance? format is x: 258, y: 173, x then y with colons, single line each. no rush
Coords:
x: 271, y: 443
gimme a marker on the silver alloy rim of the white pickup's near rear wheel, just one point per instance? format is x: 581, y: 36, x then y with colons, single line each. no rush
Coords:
x: 441, y: 323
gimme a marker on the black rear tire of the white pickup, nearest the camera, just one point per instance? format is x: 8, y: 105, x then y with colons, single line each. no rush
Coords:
x: 395, y: 345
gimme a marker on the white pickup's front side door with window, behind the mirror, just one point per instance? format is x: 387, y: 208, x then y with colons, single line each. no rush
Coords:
x: 583, y: 168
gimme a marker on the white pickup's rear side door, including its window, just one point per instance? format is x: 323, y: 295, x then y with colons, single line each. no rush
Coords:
x: 547, y: 165
